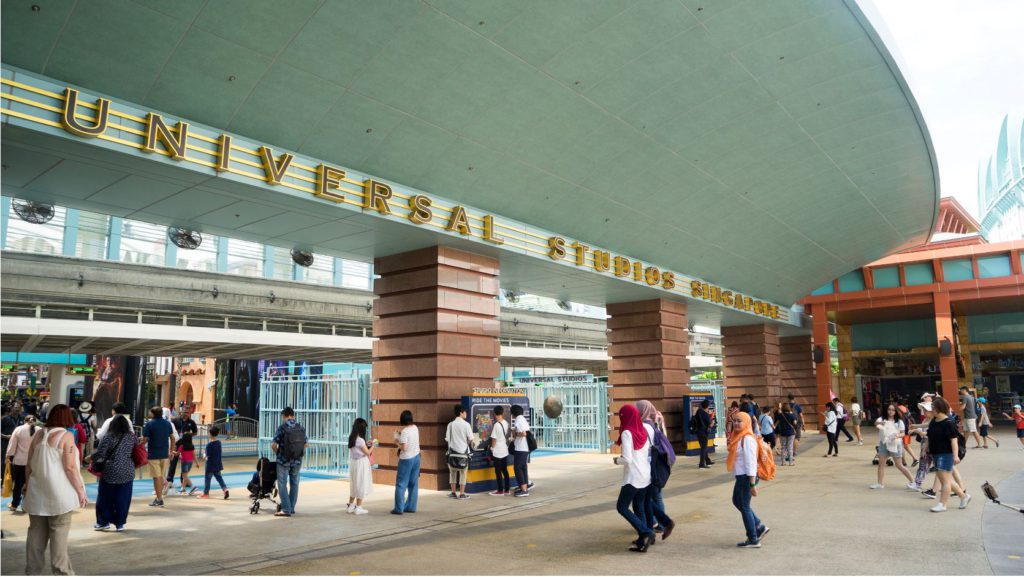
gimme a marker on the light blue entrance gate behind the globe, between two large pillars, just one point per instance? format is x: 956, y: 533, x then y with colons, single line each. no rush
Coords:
x: 584, y: 422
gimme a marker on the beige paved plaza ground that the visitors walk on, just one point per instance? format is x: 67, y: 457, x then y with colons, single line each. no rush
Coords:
x: 824, y: 520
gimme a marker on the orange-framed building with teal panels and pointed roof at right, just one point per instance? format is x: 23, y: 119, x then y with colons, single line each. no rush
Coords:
x: 928, y: 319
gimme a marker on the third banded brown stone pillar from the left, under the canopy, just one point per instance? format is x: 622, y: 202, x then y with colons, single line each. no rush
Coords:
x: 751, y: 362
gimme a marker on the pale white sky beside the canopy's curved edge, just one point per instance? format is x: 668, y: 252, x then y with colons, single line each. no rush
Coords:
x: 964, y: 61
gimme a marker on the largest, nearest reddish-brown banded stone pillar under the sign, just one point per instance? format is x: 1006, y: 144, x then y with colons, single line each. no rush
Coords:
x: 438, y: 327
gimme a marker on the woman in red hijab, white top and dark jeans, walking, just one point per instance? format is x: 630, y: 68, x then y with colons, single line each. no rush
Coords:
x: 635, y: 439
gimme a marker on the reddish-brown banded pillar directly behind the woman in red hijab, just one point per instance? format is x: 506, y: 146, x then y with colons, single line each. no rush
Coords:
x: 649, y: 346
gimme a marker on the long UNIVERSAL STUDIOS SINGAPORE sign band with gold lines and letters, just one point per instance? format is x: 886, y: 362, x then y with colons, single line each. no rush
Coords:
x: 150, y: 134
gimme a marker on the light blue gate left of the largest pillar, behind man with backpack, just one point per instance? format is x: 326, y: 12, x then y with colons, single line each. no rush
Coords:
x: 326, y: 405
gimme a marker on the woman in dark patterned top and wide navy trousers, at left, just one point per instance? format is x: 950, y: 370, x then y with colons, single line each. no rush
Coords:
x: 114, y: 500
